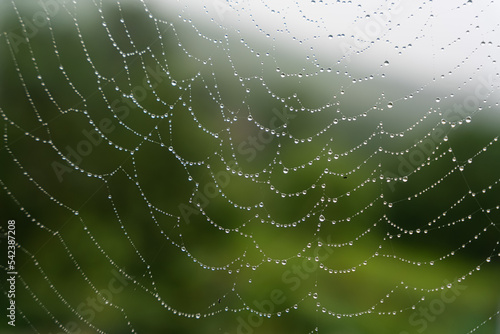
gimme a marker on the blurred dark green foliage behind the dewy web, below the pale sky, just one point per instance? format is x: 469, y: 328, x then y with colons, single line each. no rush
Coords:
x: 59, y: 271
